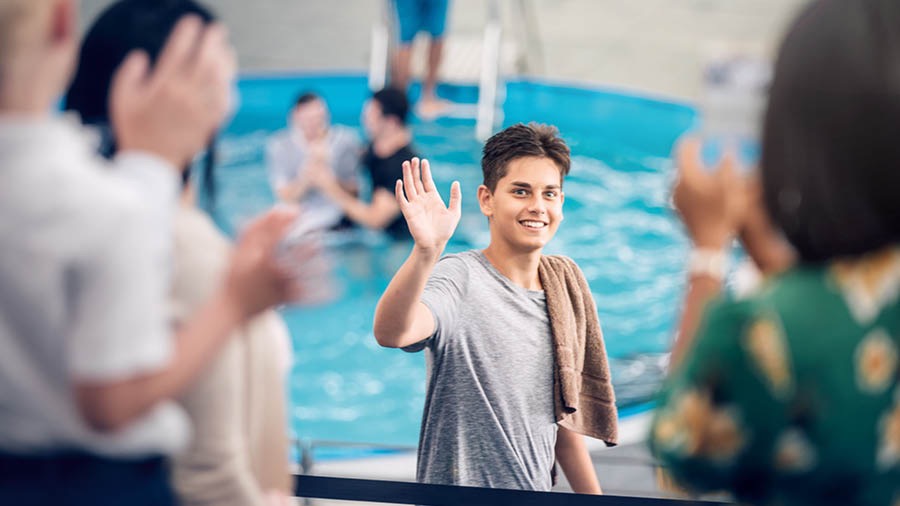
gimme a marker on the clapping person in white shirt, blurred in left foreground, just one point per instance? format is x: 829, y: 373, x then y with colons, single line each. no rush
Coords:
x: 87, y: 357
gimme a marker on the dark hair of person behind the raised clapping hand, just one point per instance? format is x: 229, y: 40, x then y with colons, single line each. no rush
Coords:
x: 124, y: 26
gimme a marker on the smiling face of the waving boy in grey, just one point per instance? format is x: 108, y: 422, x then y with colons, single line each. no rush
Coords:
x: 525, y: 209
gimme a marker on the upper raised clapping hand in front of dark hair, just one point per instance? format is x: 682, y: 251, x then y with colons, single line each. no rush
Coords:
x: 173, y: 110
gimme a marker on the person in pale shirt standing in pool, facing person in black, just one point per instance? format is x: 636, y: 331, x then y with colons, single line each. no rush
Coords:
x: 312, y: 143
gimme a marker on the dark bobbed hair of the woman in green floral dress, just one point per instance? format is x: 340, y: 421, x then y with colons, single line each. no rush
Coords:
x: 831, y: 153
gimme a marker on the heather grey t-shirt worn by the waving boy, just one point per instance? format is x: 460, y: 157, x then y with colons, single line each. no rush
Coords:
x: 488, y: 418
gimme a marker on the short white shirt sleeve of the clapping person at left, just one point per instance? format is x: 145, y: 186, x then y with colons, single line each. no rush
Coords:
x: 119, y: 291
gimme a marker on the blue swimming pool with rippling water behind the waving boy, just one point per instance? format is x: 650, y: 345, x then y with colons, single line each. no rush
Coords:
x: 617, y: 227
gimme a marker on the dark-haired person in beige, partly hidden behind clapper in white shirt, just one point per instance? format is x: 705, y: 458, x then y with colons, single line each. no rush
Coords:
x: 238, y: 453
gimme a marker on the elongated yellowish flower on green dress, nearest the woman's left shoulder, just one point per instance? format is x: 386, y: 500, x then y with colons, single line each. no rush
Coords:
x: 765, y: 342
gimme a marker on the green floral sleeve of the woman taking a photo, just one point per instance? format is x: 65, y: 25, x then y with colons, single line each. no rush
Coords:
x: 710, y: 427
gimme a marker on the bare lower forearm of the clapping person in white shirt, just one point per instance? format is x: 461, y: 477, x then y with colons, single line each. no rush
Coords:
x: 111, y: 406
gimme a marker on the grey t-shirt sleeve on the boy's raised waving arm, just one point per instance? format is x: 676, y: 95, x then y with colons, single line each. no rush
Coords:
x: 443, y: 294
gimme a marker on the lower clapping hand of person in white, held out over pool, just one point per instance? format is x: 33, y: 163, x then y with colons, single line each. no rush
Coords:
x: 256, y: 280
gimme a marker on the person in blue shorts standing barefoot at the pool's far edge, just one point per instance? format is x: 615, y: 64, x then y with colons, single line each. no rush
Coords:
x: 413, y: 17
